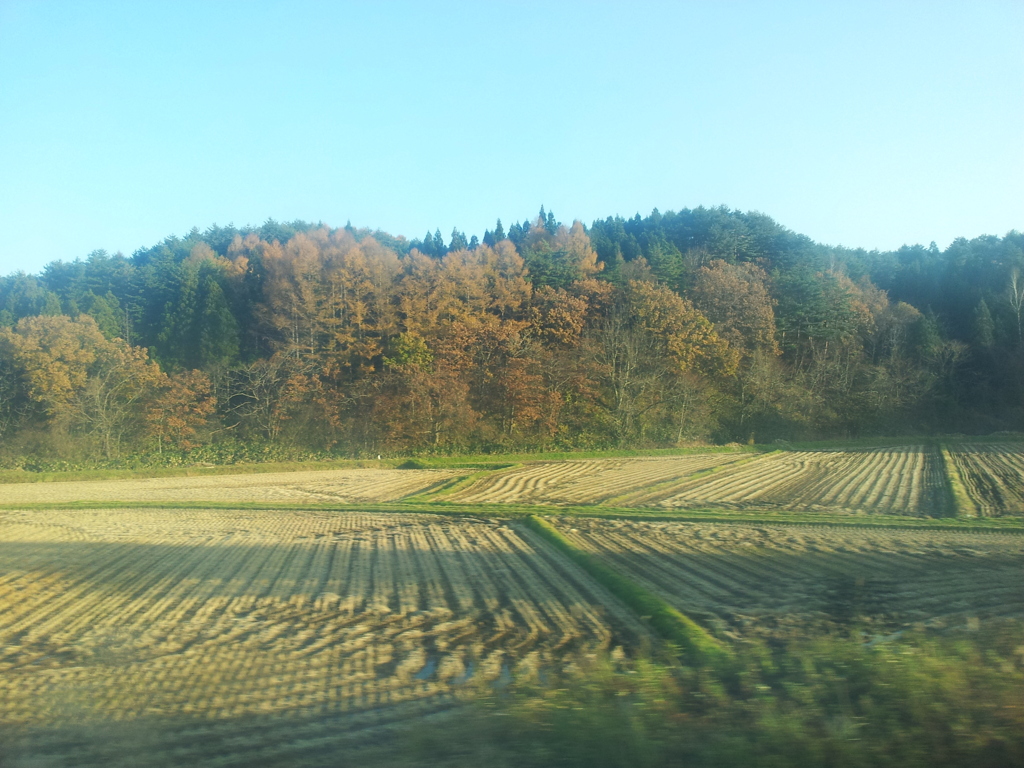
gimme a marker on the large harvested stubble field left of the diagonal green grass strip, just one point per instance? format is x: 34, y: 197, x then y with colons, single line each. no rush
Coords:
x: 241, y: 634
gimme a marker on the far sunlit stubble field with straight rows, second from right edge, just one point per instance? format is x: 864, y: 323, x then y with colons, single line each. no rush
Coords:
x: 905, y: 481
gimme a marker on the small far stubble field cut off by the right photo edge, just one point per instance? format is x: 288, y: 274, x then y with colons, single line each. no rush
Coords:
x: 993, y: 477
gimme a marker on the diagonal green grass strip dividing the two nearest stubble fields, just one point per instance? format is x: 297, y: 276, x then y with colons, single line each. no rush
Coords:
x: 697, y: 647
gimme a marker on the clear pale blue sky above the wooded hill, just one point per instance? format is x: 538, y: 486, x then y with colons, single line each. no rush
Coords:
x: 864, y: 124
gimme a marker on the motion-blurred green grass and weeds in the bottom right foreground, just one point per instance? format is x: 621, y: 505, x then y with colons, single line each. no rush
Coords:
x: 838, y: 702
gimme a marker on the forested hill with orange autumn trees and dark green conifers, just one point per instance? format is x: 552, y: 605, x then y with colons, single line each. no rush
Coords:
x: 706, y: 324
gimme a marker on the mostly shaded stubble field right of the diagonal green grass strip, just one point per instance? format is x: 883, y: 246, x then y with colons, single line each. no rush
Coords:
x: 779, y: 580
